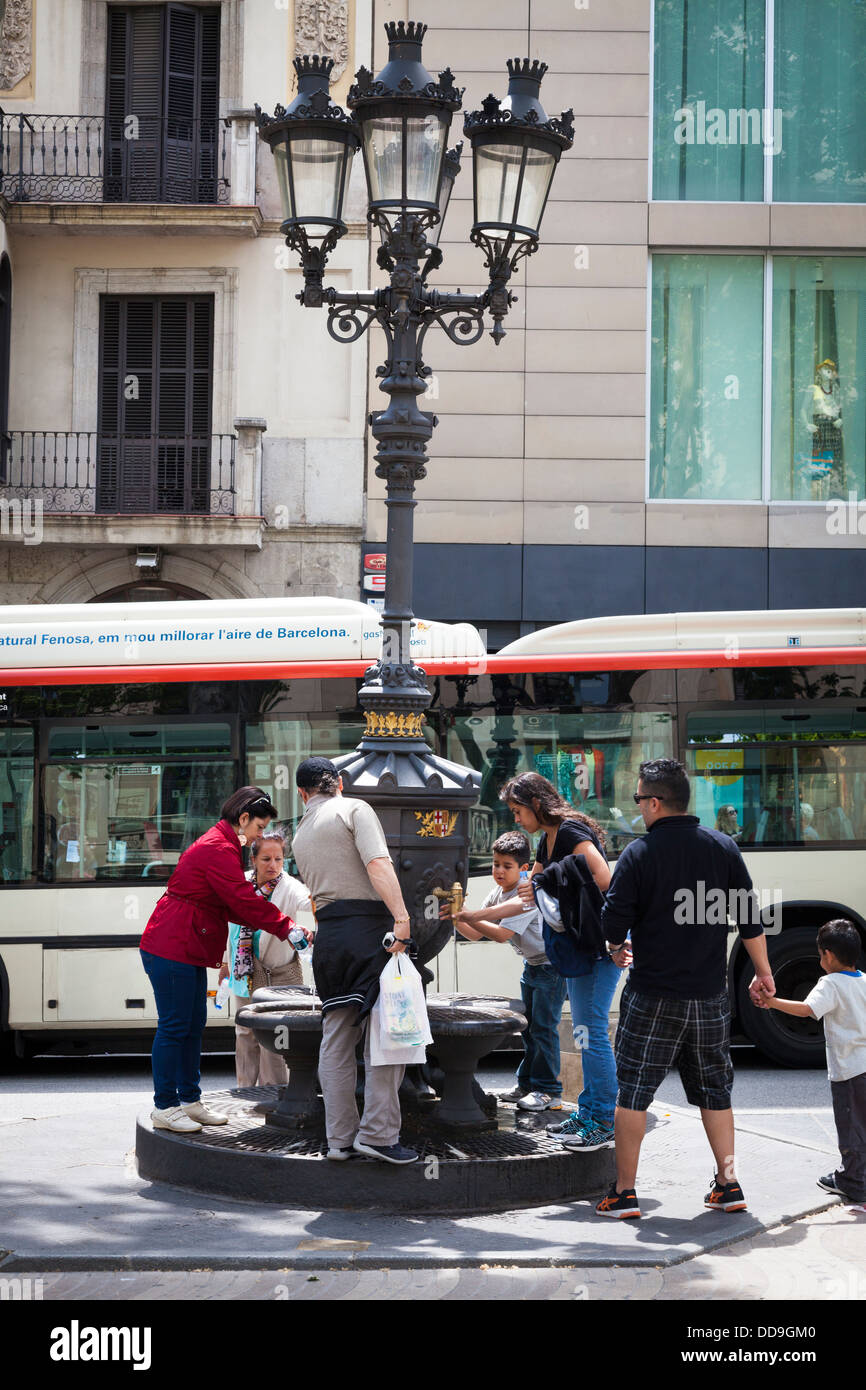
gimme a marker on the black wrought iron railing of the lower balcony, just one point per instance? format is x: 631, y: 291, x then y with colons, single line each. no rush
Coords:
x: 84, y: 472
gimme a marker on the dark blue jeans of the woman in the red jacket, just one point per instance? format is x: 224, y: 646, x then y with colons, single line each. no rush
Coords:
x: 181, y: 1001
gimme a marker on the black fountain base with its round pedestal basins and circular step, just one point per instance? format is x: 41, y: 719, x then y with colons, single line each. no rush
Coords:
x: 464, y: 1167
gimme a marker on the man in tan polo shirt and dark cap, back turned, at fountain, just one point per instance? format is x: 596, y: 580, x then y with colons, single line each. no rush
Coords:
x: 343, y: 857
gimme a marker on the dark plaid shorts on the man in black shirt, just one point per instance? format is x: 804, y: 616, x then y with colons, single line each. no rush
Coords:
x: 692, y: 1035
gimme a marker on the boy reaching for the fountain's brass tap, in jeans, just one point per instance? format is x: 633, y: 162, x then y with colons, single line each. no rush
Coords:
x: 543, y: 989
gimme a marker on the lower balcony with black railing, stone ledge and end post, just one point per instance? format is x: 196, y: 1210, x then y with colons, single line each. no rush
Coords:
x: 94, y: 489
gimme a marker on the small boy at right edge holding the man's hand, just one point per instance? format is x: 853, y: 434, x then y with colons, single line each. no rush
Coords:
x: 840, y: 1000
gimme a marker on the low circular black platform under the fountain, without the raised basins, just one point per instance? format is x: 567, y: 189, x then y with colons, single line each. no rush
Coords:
x: 247, y: 1160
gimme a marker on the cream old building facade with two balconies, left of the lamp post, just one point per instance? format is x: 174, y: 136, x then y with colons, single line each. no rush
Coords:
x: 286, y: 415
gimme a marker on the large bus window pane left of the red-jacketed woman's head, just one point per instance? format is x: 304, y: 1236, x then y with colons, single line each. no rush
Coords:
x: 129, y: 821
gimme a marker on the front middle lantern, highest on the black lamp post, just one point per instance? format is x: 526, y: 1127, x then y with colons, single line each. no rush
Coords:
x: 405, y: 117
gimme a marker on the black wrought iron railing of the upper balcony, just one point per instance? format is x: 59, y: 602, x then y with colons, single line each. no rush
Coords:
x: 90, y: 159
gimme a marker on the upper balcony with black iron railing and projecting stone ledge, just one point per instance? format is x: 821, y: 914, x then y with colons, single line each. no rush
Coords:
x: 85, y: 170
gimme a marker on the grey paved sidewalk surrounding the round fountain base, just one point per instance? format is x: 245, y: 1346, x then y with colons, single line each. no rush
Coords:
x: 72, y: 1200
